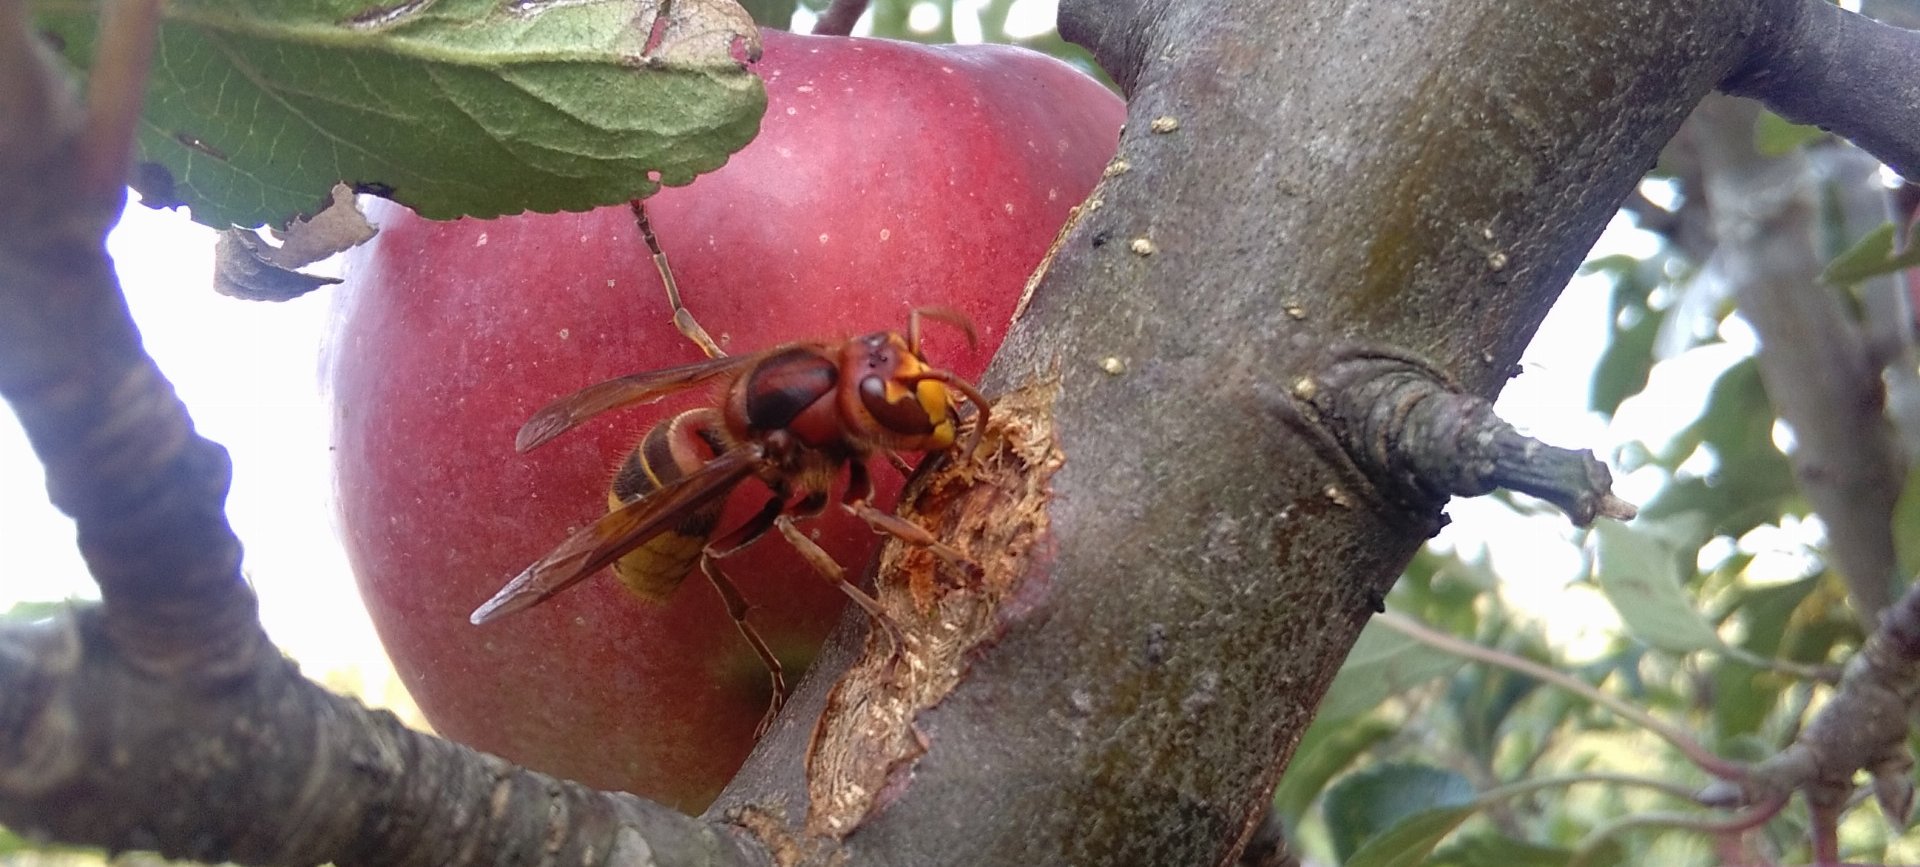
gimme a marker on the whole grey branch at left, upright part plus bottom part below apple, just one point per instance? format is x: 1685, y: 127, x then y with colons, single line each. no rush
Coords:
x: 164, y: 718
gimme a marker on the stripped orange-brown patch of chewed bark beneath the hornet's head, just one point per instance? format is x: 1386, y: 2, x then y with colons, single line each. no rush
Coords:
x: 994, y: 509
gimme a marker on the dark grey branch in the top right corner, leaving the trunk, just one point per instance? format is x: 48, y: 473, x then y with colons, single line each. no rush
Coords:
x: 1842, y: 72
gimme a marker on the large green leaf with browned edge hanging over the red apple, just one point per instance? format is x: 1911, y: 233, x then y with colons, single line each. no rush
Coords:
x: 456, y: 108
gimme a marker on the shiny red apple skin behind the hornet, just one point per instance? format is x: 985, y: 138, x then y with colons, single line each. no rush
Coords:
x: 886, y: 177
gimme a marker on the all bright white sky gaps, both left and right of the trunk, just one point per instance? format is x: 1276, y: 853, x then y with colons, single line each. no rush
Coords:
x: 251, y: 377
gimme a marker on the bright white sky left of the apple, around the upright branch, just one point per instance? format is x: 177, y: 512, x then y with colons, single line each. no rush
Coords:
x: 249, y: 375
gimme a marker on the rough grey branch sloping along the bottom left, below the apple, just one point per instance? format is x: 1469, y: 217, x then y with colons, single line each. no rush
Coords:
x: 270, y: 768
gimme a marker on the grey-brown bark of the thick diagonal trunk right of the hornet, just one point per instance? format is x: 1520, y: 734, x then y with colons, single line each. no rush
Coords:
x: 1295, y: 179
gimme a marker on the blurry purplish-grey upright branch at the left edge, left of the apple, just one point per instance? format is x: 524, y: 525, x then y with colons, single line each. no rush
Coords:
x: 120, y: 452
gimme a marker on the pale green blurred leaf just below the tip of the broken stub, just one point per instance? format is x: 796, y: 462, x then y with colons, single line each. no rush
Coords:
x: 1641, y: 574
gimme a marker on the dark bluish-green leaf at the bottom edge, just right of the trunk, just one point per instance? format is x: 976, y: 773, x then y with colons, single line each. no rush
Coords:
x: 1395, y: 814
